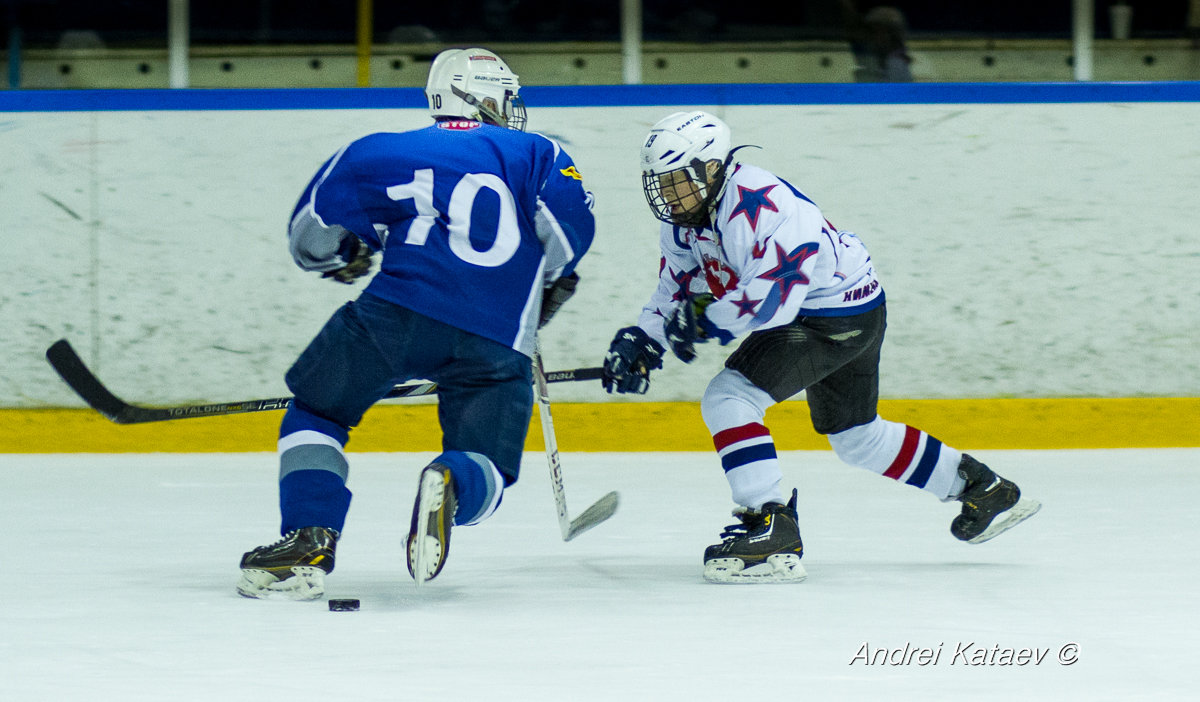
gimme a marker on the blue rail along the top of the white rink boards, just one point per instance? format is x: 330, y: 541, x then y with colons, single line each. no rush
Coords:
x: 605, y: 97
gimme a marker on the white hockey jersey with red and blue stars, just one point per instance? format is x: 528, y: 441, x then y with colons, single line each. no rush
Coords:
x: 770, y: 257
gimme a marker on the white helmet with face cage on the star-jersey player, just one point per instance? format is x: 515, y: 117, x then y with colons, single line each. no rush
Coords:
x: 685, y: 160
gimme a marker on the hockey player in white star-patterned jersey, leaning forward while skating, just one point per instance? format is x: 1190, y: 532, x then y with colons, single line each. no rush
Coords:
x: 746, y: 254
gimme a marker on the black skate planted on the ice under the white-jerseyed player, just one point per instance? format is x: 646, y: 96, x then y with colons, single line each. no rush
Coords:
x: 764, y: 548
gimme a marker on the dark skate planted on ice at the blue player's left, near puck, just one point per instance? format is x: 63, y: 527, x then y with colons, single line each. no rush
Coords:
x: 291, y: 569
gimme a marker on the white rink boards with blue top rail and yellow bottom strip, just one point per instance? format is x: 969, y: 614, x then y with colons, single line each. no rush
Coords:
x: 1036, y: 242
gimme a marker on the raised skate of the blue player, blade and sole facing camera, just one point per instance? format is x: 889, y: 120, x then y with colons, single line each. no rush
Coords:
x: 429, y: 538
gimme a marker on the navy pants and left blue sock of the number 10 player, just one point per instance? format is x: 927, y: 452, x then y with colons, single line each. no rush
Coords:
x: 485, y: 401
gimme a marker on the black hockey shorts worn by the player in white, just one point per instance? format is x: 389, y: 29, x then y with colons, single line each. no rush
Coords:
x: 837, y: 359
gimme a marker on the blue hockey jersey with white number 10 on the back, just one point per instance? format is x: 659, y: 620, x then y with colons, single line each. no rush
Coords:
x: 473, y: 221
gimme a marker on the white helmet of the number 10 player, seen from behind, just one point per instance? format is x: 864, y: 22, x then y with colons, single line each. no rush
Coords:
x: 476, y: 85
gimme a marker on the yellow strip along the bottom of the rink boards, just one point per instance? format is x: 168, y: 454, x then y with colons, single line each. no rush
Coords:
x: 641, y: 427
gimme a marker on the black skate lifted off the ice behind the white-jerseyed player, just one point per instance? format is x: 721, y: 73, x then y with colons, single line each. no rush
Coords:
x: 992, y: 506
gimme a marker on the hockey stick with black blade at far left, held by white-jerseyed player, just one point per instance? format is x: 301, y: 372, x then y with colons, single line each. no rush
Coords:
x: 71, y: 368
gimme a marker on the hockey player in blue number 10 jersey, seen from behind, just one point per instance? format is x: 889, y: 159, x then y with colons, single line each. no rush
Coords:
x: 481, y: 229
